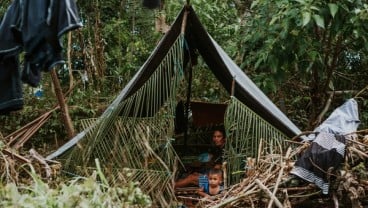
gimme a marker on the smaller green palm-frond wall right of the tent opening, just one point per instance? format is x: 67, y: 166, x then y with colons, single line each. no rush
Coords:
x: 246, y: 131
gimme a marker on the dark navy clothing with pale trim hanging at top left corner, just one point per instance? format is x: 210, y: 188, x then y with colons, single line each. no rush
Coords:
x: 36, y: 26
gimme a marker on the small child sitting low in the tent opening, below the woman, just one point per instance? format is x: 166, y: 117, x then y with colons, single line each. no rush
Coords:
x: 212, y: 184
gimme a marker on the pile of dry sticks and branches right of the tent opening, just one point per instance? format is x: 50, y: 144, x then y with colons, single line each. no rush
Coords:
x: 269, y: 181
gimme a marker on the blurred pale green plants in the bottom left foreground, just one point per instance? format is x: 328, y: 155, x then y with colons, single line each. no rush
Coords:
x: 78, y: 192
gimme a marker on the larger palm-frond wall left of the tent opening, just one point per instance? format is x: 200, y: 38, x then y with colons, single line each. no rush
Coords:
x: 127, y: 138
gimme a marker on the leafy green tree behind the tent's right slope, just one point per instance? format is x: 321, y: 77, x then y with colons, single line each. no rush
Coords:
x: 308, y: 44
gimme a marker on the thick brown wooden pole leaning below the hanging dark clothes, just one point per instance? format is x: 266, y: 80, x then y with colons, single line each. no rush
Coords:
x: 63, y: 106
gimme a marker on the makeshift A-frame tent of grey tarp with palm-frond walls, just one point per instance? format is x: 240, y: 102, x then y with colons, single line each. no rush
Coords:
x: 137, y: 129
